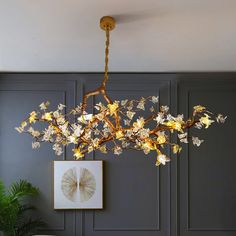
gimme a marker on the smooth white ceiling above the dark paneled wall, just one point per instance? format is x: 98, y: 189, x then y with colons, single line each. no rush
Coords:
x: 151, y: 35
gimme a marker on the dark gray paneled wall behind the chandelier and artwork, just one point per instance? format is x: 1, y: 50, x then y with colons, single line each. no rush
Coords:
x: 193, y: 195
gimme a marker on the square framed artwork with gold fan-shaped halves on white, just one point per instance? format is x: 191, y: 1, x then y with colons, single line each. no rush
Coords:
x: 78, y: 185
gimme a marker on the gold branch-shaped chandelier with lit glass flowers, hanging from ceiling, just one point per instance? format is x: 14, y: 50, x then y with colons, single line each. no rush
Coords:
x: 115, y: 125
